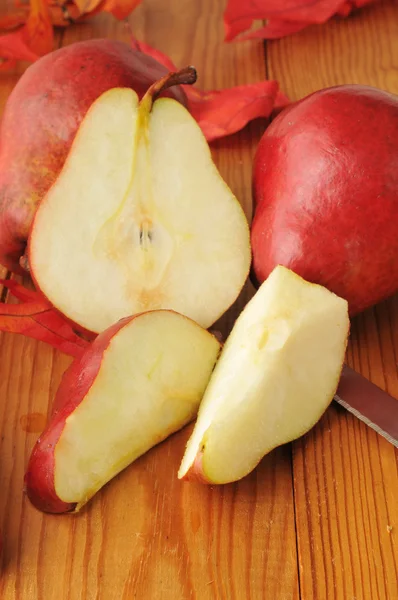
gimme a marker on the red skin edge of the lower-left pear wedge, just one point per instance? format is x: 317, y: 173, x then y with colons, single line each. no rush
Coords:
x: 75, y: 384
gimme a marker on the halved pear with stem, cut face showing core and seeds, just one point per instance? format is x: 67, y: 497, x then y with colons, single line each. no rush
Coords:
x: 139, y: 218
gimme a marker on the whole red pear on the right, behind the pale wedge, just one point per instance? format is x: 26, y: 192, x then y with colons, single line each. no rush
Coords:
x: 326, y: 193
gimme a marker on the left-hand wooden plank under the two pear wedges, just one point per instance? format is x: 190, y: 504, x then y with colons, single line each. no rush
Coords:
x: 146, y: 535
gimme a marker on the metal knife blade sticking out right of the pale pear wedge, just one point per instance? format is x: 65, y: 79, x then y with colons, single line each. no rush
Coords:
x: 369, y: 403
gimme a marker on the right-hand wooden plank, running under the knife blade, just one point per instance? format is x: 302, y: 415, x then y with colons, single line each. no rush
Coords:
x: 345, y: 475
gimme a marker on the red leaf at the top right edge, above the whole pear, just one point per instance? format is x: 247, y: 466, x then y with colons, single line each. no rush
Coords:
x: 283, y: 16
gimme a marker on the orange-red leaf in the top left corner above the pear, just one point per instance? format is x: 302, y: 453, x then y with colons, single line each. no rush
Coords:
x: 32, y: 40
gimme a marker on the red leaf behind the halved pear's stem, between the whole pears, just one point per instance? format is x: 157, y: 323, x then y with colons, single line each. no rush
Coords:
x: 222, y: 112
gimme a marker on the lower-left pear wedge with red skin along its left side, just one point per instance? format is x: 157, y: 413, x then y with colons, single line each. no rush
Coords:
x: 138, y: 382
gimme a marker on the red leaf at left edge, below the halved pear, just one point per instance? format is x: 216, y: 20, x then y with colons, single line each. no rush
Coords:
x: 35, y: 317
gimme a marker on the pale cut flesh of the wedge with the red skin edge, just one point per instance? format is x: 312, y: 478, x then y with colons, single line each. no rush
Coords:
x: 151, y: 380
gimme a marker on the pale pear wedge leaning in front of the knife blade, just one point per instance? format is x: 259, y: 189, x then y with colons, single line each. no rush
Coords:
x: 277, y: 374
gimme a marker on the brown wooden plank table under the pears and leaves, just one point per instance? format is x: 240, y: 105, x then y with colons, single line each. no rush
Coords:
x: 318, y: 519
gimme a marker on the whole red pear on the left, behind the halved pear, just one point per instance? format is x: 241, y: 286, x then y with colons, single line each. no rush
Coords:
x: 41, y: 119
